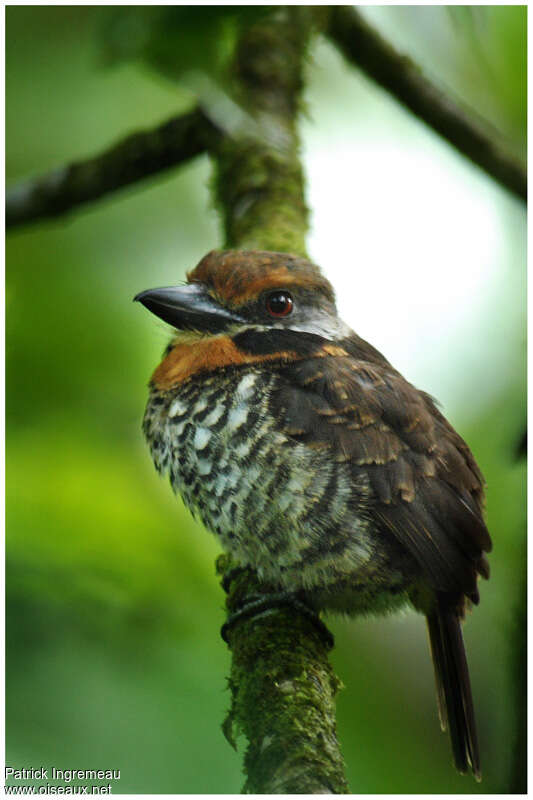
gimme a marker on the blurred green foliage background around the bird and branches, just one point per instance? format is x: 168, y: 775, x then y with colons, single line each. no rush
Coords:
x: 113, y: 609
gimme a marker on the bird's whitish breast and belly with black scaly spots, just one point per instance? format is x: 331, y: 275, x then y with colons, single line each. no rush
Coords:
x: 290, y: 511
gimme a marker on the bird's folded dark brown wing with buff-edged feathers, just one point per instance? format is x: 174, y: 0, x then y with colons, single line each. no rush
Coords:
x: 426, y: 486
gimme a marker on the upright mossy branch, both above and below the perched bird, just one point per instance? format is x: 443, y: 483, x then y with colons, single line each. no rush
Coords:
x: 282, y: 685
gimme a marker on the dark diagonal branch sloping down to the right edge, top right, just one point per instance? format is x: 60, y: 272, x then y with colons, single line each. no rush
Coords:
x: 366, y: 49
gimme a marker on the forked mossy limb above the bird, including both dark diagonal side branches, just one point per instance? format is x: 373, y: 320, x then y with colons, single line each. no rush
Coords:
x: 259, y: 182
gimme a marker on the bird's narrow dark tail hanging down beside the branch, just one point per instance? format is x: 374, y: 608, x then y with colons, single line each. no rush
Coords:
x: 454, y: 695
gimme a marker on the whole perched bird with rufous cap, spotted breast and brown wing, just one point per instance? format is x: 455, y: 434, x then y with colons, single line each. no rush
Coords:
x: 314, y: 461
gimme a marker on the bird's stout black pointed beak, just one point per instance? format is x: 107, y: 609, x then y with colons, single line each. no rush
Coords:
x: 189, y: 307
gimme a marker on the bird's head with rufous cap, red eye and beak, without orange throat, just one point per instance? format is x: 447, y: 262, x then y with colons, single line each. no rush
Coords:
x: 231, y: 292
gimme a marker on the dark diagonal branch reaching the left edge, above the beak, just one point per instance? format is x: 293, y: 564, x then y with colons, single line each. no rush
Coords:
x: 134, y: 158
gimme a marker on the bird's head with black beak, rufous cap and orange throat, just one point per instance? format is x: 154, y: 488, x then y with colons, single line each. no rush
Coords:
x: 243, y: 307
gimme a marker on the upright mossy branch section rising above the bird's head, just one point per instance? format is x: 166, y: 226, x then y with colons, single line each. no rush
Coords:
x: 259, y: 184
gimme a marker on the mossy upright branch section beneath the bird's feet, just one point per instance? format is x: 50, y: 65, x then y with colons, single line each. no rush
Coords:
x: 282, y: 697
